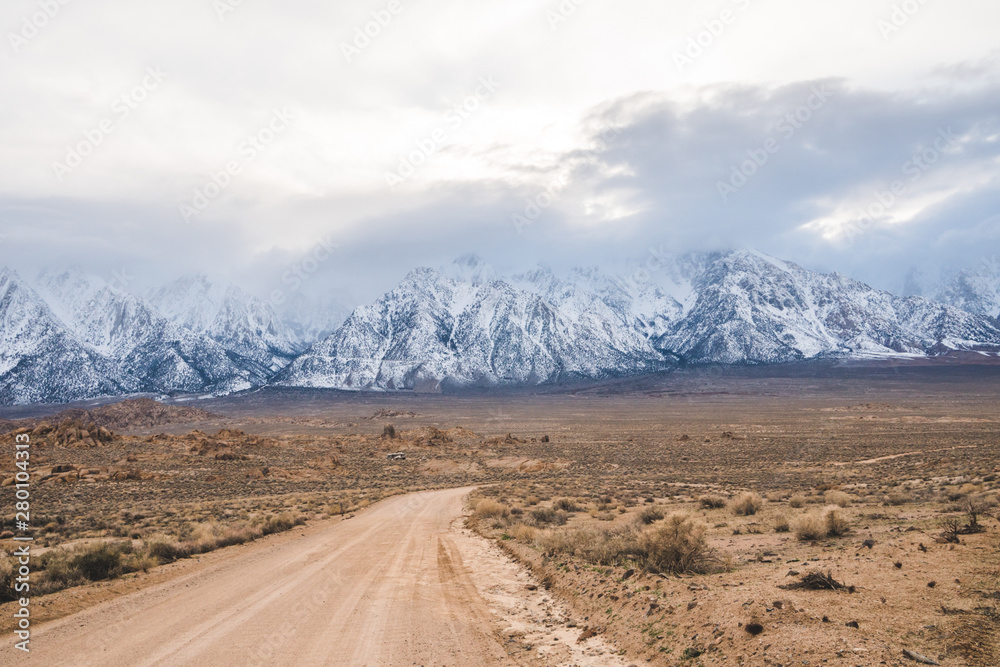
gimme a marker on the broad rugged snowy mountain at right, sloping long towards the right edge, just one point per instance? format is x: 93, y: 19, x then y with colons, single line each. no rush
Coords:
x: 752, y: 308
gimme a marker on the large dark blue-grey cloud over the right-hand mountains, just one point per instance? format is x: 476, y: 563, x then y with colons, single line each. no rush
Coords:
x: 806, y: 170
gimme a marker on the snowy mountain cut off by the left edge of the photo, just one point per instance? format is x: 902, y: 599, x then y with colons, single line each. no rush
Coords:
x: 40, y: 359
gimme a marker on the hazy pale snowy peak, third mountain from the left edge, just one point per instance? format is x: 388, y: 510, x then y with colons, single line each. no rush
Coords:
x: 245, y: 326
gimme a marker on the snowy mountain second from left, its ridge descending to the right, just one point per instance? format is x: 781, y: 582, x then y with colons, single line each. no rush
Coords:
x: 148, y: 352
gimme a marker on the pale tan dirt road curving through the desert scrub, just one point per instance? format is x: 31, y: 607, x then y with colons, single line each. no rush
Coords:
x: 386, y: 587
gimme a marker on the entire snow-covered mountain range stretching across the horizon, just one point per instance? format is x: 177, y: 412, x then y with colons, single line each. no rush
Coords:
x: 65, y: 335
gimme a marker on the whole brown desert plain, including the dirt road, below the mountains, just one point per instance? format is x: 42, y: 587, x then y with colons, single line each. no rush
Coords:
x: 826, y: 514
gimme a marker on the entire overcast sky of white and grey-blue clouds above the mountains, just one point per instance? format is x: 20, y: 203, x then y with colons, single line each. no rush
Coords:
x: 239, y: 136
